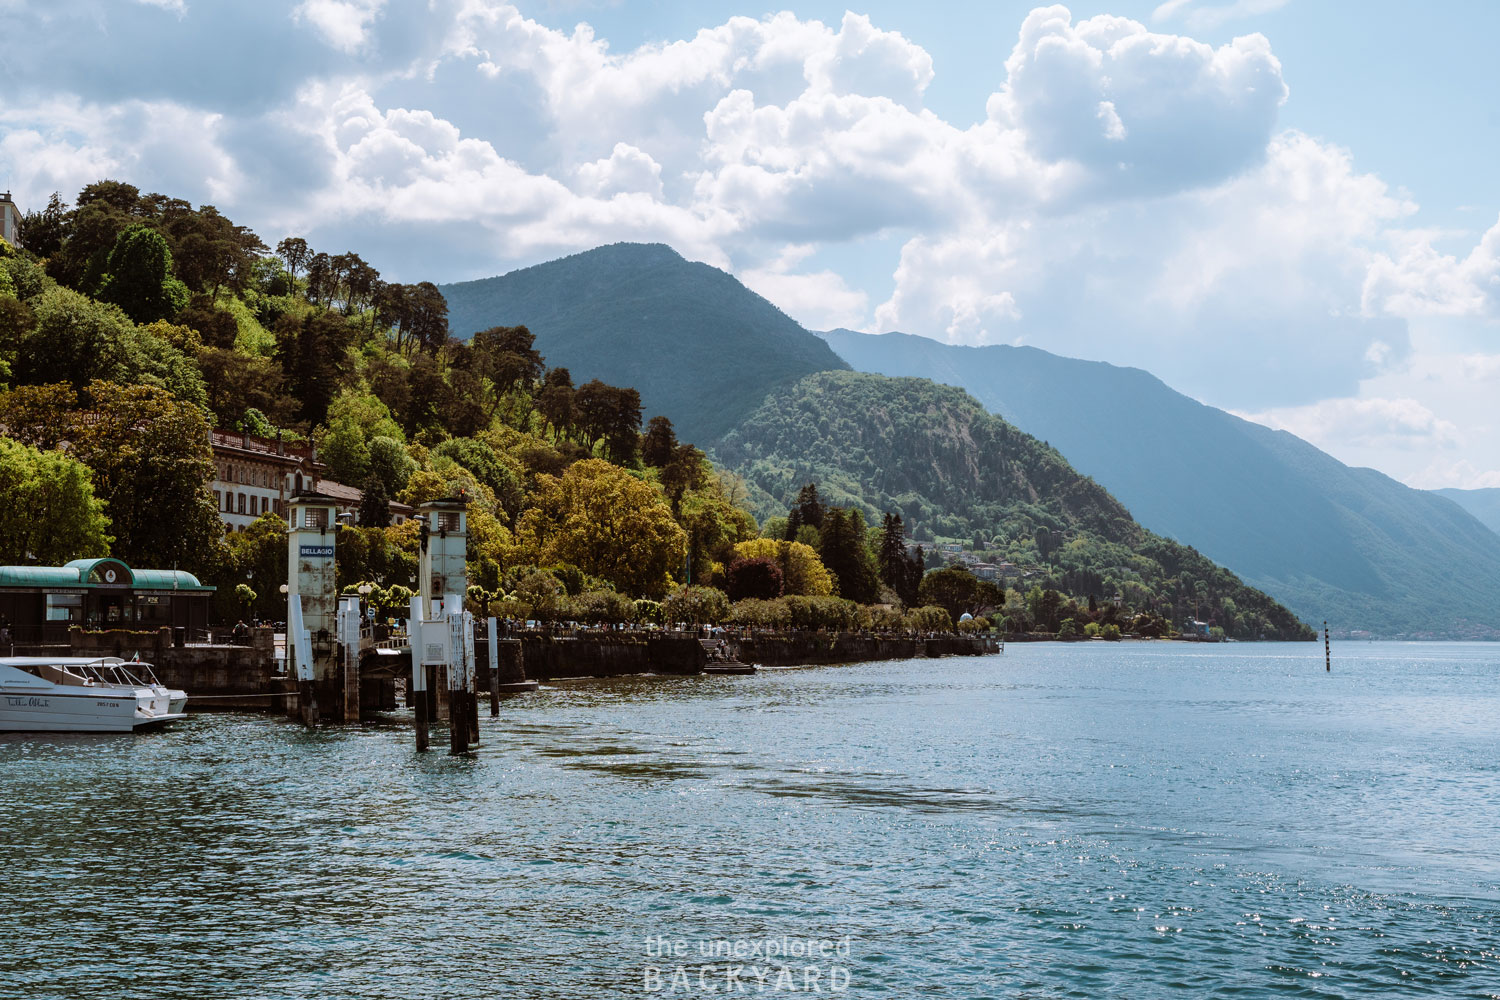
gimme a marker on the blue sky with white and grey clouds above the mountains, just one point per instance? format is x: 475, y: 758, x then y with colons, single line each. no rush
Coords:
x: 1282, y: 208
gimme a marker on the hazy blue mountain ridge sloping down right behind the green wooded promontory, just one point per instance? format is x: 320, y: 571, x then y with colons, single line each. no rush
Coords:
x: 1351, y: 546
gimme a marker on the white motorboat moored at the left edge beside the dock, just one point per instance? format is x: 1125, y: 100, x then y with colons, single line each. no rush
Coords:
x: 79, y: 695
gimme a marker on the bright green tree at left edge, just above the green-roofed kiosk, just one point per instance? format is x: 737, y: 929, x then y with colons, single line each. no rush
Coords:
x: 49, y: 510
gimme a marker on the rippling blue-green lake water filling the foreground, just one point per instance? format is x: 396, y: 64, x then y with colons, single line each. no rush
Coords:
x: 1061, y: 821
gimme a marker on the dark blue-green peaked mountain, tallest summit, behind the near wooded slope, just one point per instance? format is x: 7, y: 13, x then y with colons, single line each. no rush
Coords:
x: 698, y: 346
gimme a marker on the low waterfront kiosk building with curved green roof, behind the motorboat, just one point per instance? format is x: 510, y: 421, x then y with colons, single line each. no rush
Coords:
x: 43, y: 603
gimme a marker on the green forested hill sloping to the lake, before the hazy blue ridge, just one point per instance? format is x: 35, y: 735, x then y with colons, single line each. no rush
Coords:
x: 934, y: 455
